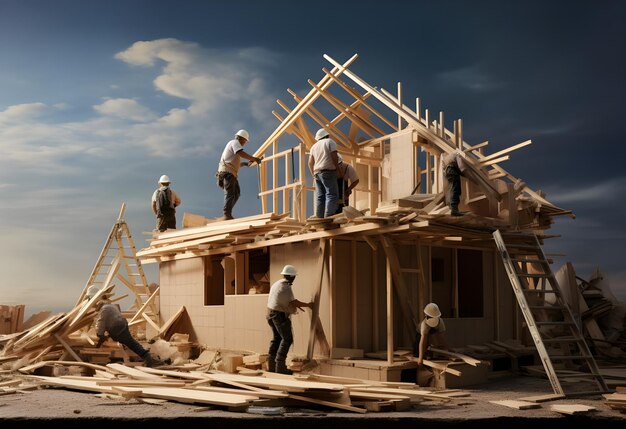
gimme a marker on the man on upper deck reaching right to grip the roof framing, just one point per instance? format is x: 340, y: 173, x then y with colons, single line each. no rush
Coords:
x: 228, y: 169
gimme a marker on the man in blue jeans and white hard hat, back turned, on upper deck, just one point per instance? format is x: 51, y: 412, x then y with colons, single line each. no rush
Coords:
x: 323, y: 164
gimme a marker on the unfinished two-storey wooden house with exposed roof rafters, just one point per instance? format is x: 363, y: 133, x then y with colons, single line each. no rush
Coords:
x: 372, y: 269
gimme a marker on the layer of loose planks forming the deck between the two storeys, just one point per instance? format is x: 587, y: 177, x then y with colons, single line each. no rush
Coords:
x: 253, y: 232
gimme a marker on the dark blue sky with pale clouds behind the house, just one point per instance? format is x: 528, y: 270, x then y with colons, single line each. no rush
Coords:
x: 99, y: 98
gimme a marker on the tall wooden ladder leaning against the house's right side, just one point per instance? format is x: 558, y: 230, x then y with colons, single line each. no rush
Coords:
x: 556, y: 335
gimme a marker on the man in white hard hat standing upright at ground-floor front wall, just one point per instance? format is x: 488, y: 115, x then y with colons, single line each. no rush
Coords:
x: 281, y: 304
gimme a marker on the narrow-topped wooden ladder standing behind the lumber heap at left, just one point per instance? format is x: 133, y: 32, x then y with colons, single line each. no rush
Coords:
x: 118, y: 260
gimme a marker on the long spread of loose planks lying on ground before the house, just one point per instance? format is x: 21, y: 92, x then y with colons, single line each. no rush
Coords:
x: 236, y: 392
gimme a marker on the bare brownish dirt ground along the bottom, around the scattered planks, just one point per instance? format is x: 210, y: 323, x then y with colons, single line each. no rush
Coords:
x: 74, y: 409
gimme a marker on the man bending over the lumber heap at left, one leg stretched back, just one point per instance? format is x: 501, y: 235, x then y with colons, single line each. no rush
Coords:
x: 111, y: 321
